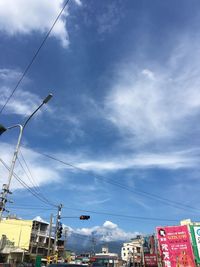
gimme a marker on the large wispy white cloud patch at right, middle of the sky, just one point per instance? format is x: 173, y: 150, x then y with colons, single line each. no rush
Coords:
x: 150, y: 105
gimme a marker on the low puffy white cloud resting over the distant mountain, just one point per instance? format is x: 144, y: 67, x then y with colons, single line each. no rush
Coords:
x: 109, y: 231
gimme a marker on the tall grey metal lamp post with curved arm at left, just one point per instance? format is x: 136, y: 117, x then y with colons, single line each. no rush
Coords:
x: 6, y: 187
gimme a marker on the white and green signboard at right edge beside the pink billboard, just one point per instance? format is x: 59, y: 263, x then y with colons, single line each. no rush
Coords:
x: 195, y: 233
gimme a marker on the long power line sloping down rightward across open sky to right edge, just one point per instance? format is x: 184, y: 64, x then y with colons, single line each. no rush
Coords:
x: 124, y: 187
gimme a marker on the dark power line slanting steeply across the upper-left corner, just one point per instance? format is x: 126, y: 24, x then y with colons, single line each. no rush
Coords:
x: 34, y: 56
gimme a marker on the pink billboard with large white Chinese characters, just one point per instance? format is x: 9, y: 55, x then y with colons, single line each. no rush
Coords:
x: 175, y: 247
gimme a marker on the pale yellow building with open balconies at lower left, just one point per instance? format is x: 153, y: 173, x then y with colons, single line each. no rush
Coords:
x: 20, y: 239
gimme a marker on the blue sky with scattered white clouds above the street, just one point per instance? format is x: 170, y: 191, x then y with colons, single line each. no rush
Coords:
x: 125, y: 109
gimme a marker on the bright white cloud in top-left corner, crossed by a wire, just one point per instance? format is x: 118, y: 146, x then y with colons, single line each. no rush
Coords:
x: 25, y: 17
